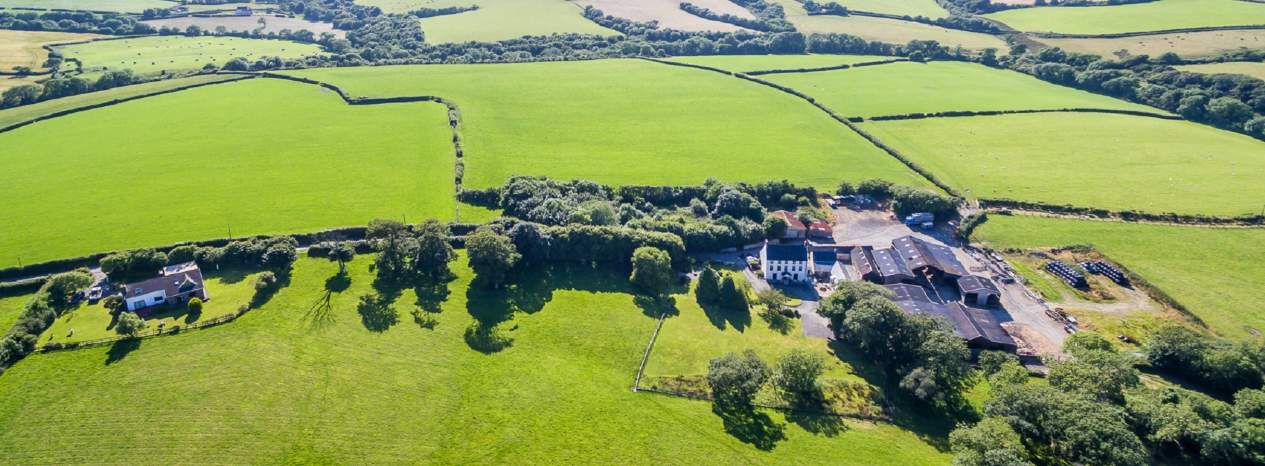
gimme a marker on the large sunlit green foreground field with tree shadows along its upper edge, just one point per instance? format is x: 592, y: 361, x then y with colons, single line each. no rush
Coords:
x: 308, y: 379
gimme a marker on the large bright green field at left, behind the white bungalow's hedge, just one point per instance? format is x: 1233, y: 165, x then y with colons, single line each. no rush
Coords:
x: 259, y: 156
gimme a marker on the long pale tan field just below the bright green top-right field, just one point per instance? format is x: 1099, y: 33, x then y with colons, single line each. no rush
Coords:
x: 1187, y: 45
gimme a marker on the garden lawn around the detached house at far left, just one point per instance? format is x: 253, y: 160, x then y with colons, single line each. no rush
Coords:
x: 89, y: 322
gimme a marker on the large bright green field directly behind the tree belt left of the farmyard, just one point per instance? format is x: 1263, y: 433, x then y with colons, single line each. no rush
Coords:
x: 629, y: 122
